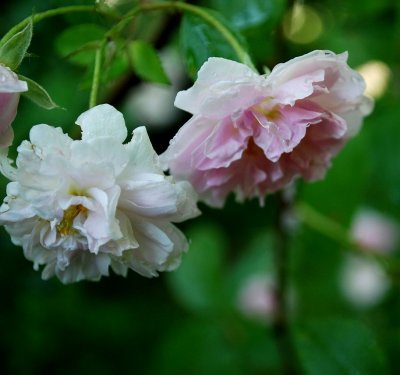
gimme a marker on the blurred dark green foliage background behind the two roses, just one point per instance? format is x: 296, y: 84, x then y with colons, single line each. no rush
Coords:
x: 212, y: 316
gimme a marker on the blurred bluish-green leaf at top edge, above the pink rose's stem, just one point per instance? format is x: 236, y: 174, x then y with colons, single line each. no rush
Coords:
x: 245, y: 14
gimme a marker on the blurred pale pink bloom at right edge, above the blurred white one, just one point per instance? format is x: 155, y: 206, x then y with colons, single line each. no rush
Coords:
x: 374, y: 231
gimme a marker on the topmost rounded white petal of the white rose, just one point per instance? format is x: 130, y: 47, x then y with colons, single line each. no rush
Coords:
x: 102, y: 121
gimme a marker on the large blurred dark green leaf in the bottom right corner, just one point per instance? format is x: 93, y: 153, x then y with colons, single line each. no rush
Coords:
x: 339, y: 347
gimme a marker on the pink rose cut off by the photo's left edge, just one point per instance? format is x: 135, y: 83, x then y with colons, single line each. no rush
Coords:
x: 10, y: 89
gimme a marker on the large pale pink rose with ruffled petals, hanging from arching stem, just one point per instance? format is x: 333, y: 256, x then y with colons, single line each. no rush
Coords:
x: 253, y: 134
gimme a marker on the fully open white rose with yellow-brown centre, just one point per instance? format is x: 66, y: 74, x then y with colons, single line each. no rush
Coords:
x: 80, y: 207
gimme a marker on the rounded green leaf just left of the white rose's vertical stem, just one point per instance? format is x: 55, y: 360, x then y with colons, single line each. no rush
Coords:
x: 79, y: 42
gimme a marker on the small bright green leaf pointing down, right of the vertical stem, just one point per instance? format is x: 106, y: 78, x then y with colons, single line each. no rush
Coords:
x: 146, y: 62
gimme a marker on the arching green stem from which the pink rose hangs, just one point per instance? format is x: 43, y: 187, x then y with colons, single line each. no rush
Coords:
x: 193, y: 9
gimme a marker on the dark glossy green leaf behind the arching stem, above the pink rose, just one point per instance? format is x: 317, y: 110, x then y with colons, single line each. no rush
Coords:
x: 199, y: 41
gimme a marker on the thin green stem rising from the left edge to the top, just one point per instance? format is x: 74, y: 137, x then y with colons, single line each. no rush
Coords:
x: 51, y: 13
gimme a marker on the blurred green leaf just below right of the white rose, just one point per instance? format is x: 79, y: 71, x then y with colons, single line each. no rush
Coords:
x: 197, y: 283
